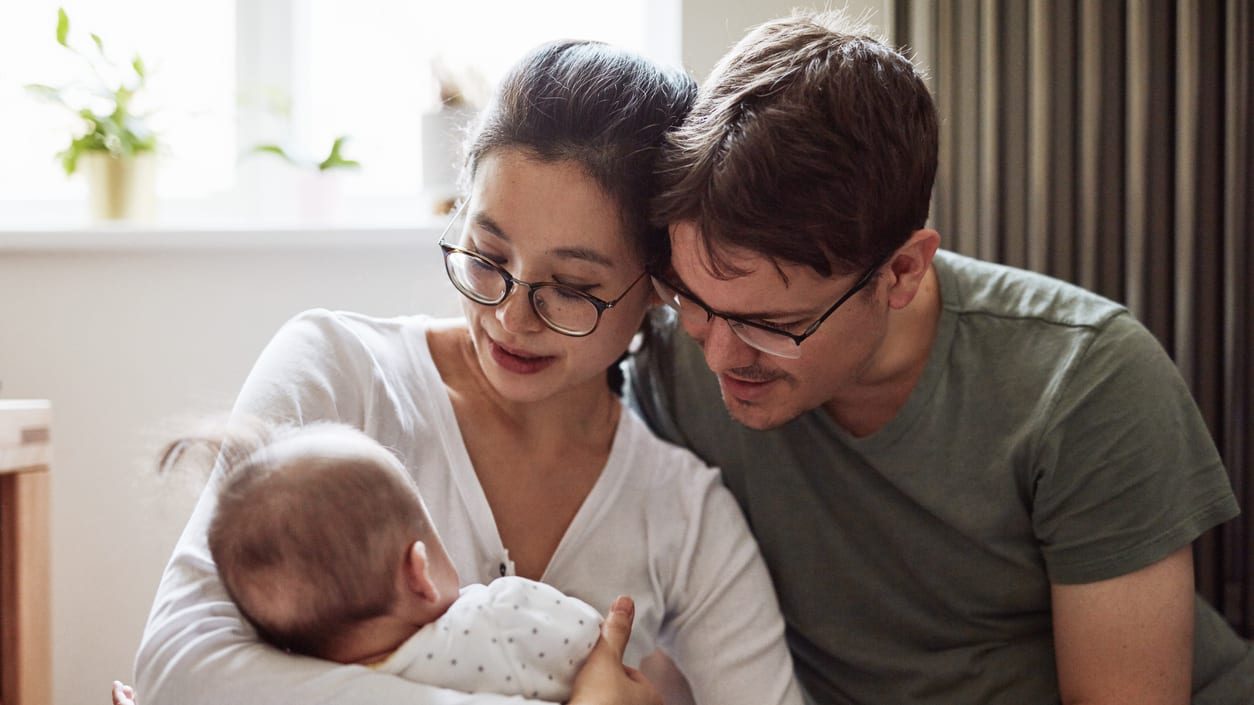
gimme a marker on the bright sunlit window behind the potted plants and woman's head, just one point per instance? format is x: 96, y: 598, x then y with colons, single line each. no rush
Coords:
x: 230, y: 76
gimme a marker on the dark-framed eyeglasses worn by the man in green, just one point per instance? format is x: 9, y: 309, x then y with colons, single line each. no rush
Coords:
x: 758, y: 336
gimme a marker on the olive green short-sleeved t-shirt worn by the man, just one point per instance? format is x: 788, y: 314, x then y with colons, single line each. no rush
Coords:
x: 1049, y: 441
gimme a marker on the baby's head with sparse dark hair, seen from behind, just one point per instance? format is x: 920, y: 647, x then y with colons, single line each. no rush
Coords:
x: 323, y: 541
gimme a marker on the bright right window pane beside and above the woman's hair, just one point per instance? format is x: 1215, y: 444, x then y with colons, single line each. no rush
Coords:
x: 371, y: 67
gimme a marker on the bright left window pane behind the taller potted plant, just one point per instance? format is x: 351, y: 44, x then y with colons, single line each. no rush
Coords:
x: 190, y: 53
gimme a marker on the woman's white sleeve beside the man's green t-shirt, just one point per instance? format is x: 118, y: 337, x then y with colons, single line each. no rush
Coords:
x: 723, y: 623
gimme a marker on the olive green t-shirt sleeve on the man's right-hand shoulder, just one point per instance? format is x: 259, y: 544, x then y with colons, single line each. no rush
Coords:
x: 1127, y: 470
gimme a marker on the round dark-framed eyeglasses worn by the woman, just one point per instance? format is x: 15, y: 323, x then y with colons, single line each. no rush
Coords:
x: 561, y: 308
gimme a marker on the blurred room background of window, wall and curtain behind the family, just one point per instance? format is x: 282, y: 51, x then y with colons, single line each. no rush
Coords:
x: 284, y: 155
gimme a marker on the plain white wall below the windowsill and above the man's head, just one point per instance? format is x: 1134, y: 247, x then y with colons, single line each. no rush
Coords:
x: 131, y: 344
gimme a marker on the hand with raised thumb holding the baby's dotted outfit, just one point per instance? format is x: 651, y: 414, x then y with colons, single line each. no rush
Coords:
x: 604, y: 679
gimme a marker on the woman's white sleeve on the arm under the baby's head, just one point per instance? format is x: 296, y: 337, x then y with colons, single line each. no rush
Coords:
x: 196, y: 648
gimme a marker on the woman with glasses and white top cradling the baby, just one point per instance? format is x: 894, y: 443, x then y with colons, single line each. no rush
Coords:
x: 531, y: 466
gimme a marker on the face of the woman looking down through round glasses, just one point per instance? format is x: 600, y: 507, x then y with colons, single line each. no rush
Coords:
x: 549, y: 223
